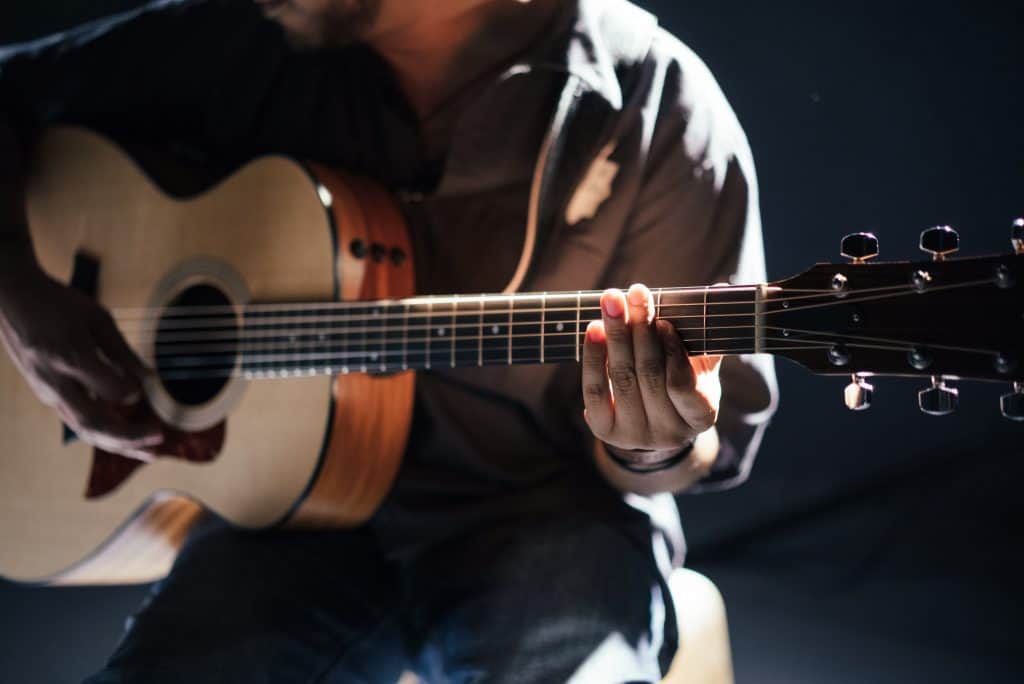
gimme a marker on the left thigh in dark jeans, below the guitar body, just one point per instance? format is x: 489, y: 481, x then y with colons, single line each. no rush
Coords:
x: 276, y: 607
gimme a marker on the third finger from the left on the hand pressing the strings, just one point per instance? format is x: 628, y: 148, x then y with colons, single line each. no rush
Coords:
x: 664, y: 421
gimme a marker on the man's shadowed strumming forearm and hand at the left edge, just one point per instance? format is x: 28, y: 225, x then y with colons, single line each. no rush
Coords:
x: 67, y: 348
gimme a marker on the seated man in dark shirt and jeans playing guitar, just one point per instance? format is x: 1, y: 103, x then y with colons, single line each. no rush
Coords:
x: 505, y: 551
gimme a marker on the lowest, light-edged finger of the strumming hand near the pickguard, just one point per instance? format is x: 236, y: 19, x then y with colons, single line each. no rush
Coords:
x: 100, y: 424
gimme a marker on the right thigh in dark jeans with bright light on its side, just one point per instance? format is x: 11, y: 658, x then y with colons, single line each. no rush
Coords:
x: 556, y: 600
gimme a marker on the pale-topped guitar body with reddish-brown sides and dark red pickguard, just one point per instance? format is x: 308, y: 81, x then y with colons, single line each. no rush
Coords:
x: 316, y: 451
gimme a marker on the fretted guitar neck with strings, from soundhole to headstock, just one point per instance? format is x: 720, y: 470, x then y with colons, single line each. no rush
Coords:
x: 425, y: 333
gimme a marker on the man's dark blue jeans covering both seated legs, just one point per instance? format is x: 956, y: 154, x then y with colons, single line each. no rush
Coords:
x: 550, y: 598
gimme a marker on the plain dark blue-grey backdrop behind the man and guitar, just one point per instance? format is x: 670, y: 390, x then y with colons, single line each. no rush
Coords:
x: 875, y: 547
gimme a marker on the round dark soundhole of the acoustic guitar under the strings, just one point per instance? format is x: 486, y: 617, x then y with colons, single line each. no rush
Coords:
x: 197, y: 346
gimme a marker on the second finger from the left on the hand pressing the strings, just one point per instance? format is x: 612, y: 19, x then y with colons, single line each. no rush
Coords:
x: 630, y: 420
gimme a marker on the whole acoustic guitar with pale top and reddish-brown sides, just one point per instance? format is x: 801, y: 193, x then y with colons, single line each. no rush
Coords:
x: 285, y: 368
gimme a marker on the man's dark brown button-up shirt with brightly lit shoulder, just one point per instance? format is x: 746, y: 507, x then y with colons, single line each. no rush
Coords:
x: 606, y: 103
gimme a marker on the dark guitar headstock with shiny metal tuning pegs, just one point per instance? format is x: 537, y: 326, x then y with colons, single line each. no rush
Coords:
x: 944, y: 320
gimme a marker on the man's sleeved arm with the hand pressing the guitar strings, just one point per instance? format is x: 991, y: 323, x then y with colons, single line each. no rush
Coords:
x: 697, y: 222
